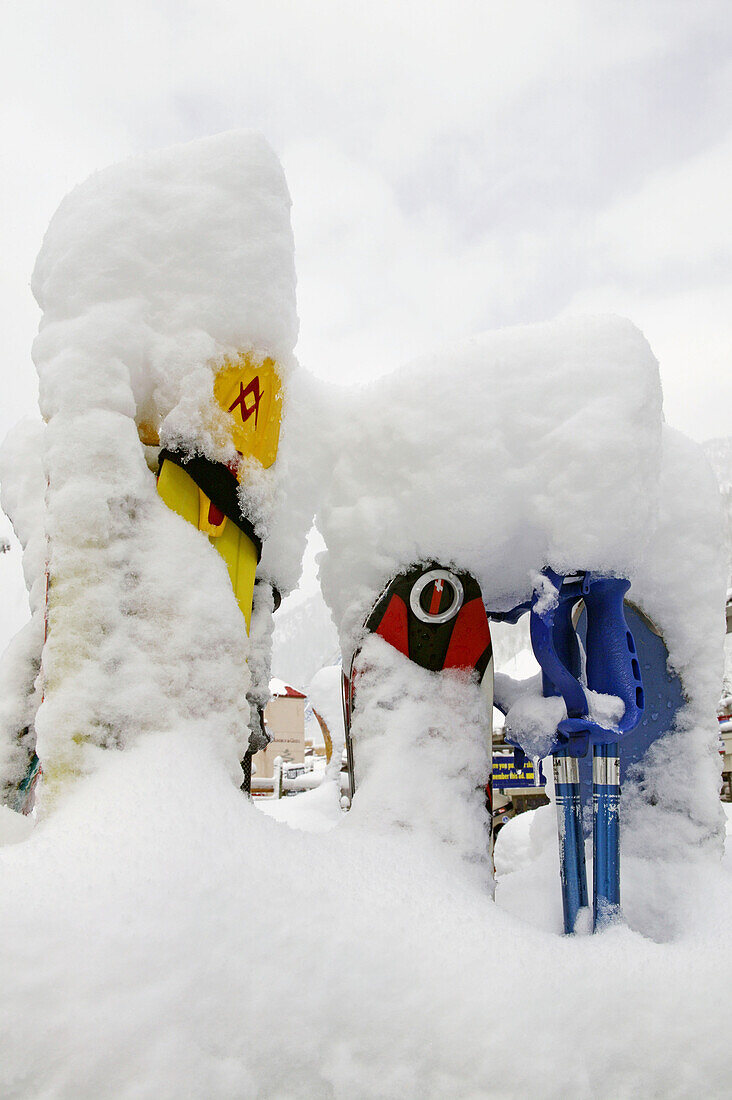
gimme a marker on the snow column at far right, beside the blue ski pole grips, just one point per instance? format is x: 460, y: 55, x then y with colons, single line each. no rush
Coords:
x: 673, y: 813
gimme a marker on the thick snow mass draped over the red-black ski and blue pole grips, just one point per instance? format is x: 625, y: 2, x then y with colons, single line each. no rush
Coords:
x: 536, y: 447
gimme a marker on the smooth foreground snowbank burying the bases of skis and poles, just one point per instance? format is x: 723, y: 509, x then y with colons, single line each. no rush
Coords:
x: 162, y: 938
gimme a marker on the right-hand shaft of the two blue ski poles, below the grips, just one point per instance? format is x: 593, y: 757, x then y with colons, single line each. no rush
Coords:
x: 606, y: 833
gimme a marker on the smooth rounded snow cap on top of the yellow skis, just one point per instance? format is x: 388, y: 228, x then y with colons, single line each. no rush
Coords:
x: 154, y: 268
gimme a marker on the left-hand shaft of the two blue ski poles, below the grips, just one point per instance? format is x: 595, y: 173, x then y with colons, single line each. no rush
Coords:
x: 572, y: 839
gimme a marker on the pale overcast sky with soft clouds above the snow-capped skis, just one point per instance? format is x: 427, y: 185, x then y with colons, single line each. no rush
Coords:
x: 454, y: 167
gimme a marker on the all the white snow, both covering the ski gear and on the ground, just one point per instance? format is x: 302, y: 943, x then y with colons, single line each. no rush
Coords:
x: 163, y: 937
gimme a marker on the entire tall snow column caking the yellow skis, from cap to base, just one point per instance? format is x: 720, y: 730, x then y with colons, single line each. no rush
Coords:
x: 151, y: 273
